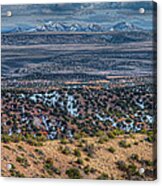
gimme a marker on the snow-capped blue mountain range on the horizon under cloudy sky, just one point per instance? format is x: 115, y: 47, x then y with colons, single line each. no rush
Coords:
x: 74, y: 27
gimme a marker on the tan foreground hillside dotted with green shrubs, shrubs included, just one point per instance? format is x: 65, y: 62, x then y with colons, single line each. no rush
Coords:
x: 89, y: 158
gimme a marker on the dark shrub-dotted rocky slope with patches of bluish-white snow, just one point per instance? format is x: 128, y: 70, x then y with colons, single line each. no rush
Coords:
x: 65, y: 112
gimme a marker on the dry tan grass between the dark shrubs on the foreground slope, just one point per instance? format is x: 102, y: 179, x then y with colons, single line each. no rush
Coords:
x: 102, y: 163
